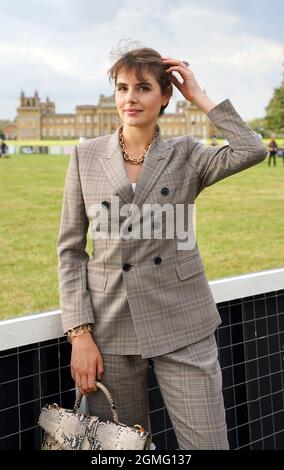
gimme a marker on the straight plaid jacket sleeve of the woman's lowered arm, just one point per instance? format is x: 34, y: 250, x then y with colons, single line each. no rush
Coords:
x: 75, y: 302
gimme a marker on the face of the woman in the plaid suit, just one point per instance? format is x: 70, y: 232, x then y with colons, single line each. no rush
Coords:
x: 145, y: 97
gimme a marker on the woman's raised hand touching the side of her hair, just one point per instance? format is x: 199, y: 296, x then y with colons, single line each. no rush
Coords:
x: 189, y: 87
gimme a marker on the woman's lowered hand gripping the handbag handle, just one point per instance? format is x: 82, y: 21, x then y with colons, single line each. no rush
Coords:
x: 86, y: 363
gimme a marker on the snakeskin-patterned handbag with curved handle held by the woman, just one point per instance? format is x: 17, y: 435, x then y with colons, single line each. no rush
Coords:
x: 71, y: 430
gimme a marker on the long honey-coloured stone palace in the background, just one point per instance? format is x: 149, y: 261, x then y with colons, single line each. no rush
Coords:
x: 38, y: 120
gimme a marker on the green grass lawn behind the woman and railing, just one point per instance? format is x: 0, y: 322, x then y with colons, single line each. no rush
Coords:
x: 240, y: 227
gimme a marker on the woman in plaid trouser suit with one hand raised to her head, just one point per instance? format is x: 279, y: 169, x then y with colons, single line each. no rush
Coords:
x: 149, y: 297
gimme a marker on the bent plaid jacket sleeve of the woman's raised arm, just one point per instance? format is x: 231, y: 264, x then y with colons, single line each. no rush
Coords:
x: 244, y: 148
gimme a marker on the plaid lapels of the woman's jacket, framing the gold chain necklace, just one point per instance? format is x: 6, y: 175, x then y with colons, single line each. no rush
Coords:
x: 154, y: 164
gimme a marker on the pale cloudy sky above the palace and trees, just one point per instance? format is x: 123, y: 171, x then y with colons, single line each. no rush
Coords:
x: 62, y: 47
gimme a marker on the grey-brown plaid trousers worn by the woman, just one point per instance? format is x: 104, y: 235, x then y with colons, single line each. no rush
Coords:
x: 190, y: 382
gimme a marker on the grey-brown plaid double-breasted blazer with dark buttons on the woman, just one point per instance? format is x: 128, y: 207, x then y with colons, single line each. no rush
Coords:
x: 144, y: 296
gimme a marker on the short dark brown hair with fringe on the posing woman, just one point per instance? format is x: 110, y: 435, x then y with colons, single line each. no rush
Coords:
x: 140, y: 60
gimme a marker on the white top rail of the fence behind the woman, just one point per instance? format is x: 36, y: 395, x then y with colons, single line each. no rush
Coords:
x: 45, y: 326
